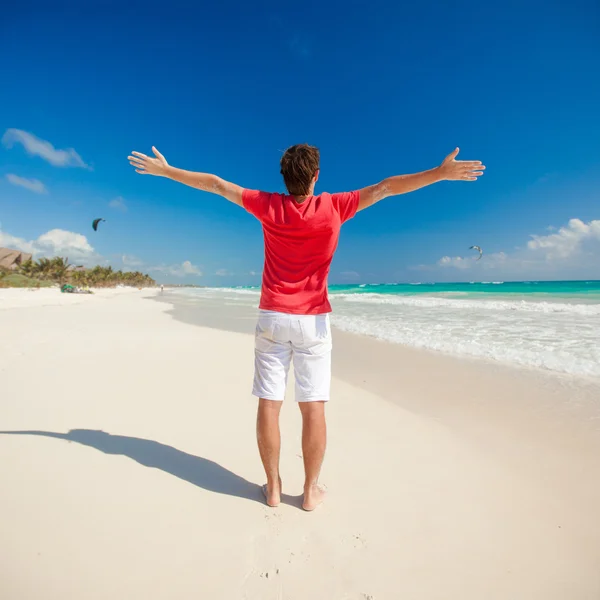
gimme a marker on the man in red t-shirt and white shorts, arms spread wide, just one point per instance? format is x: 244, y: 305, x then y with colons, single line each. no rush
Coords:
x: 301, y: 233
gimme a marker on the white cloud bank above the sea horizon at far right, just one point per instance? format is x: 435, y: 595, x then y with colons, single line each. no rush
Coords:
x: 571, y: 251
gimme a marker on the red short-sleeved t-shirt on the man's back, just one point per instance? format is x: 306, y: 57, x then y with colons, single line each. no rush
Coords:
x: 300, y: 240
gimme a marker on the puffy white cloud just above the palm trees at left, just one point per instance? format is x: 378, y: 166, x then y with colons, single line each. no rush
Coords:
x: 56, y: 242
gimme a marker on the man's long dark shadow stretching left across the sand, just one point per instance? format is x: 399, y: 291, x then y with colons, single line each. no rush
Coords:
x: 198, y: 471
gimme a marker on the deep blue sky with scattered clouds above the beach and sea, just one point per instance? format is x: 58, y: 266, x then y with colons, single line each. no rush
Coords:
x: 381, y: 87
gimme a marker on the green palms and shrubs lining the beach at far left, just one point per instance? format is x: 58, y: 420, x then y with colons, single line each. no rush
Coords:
x: 46, y: 272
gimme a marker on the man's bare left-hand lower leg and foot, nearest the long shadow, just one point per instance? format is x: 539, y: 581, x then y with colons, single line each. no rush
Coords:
x: 269, y: 444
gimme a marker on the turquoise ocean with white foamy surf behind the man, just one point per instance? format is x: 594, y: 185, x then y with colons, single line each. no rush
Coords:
x: 552, y: 325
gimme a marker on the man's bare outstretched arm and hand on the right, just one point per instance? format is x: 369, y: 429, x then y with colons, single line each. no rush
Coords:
x: 449, y: 170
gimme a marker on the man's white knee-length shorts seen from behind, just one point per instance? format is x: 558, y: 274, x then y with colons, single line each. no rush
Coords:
x: 281, y: 338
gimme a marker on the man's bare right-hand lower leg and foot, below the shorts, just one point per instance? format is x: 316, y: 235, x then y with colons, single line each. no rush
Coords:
x: 314, y: 441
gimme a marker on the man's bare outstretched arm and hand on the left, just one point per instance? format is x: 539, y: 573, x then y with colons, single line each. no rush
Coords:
x: 148, y: 165
